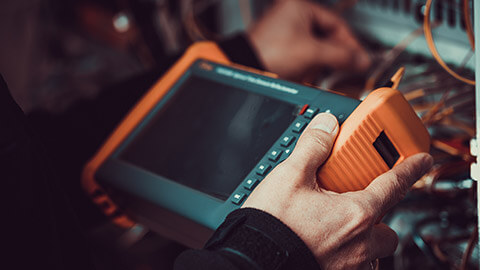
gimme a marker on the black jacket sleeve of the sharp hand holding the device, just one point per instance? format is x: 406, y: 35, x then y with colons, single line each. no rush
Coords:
x: 250, y: 239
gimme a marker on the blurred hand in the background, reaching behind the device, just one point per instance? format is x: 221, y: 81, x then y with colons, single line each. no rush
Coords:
x: 286, y: 41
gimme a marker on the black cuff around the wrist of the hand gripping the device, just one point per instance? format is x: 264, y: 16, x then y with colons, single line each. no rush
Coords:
x: 262, y: 239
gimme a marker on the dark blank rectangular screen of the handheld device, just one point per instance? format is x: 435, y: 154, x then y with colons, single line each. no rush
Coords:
x: 209, y: 136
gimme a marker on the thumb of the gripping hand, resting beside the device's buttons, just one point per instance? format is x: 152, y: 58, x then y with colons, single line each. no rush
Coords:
x: 315, y: 143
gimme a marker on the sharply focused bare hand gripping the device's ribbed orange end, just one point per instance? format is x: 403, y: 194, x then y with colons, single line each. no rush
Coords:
x: 339, y: 228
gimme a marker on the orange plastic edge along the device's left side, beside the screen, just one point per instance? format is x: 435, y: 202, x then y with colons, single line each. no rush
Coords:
x: 201, y: 50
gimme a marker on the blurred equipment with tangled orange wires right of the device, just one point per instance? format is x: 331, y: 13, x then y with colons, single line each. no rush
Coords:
x: 437, y: 222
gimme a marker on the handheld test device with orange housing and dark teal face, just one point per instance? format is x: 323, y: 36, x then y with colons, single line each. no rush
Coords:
x: 203, y: 137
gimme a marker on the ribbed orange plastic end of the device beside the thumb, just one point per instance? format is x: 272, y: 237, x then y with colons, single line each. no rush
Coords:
x: 354, y: 162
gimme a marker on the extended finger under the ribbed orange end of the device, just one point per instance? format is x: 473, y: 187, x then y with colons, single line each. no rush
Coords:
x: 390, y: 188
